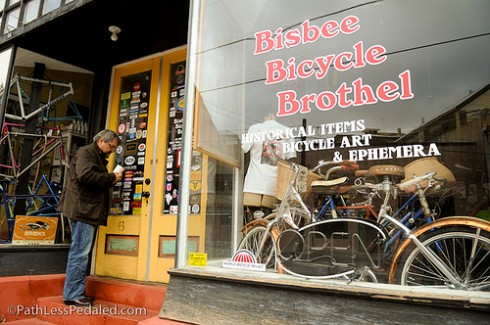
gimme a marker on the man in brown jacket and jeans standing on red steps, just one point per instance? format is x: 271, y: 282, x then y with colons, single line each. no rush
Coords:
x: 85, y: 201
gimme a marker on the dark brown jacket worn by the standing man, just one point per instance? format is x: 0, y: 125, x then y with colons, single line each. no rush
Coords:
x: 86, y: 192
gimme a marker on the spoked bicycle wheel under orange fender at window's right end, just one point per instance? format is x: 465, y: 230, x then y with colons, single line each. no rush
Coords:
x: 464, y: 251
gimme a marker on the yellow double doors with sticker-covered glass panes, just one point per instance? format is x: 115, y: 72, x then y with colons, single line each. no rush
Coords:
x: 146, y: 109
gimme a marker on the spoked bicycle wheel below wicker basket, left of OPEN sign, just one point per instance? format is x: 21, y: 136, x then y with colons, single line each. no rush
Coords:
x: 252, y: 241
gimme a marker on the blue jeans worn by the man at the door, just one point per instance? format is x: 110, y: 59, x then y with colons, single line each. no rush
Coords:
x: 82, y: 237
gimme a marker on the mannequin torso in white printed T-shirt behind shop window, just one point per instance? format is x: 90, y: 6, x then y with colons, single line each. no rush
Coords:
x: 261, y: 177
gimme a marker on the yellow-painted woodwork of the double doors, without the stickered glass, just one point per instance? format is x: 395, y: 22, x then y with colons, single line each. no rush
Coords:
x: 153, y: 230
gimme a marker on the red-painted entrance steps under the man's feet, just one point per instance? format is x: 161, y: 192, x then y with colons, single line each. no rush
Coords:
x: 37, y: 300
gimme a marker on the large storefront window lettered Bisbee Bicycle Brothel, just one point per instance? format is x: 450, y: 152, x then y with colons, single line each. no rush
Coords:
x: 358, y: 131
